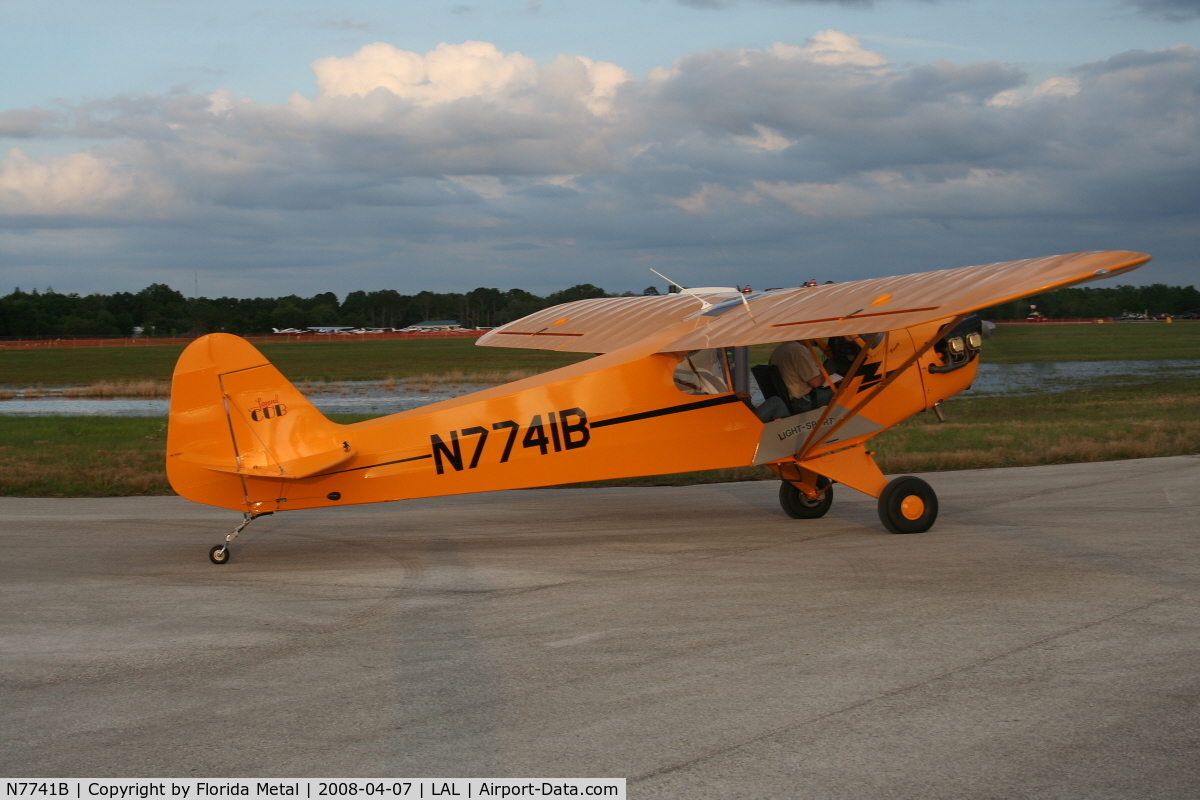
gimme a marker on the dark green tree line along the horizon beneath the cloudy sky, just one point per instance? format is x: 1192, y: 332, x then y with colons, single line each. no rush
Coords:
x: 163, y: 311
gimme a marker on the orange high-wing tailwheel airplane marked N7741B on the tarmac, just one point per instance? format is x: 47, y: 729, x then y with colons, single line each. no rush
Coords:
x: 667, y: 393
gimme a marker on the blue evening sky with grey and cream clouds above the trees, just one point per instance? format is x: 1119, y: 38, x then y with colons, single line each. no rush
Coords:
x: 266, y: 148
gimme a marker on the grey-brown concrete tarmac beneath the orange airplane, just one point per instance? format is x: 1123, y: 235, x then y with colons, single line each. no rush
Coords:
x: 1042, y: 641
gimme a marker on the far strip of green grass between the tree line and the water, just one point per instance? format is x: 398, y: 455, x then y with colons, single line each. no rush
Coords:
x: 341, y: 360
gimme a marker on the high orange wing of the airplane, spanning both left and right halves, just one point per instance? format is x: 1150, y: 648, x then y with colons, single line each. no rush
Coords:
x: 832, y: 310
